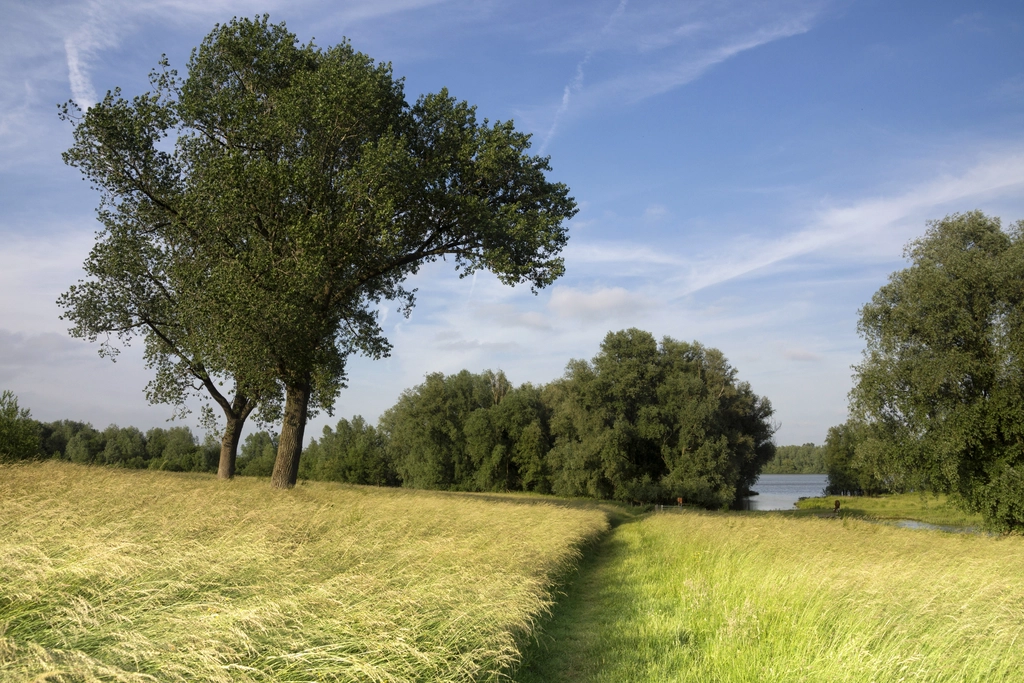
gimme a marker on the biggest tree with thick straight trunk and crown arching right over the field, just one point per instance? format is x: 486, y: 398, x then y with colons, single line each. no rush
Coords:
x: 298, y: 190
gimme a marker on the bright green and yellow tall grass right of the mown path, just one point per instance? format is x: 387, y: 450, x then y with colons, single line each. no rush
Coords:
x: 747, y: 597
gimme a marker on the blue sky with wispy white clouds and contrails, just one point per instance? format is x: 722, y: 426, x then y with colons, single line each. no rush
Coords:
x: 748, y: 176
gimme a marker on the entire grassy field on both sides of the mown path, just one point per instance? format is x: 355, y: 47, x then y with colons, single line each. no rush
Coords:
x: 135, y: 576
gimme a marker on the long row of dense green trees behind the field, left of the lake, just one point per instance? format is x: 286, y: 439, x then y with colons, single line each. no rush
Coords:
x: 643, y: 422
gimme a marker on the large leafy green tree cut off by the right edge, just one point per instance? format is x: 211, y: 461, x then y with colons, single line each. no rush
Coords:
x: 942, y: 382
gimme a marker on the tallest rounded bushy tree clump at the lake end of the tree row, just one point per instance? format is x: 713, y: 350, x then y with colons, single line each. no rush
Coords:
x: 646, y: 422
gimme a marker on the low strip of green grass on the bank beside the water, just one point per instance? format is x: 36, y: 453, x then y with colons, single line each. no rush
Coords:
x: 926, y: 508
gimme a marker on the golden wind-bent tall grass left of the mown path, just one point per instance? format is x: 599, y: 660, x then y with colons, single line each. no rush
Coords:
x: 122, y: 576
